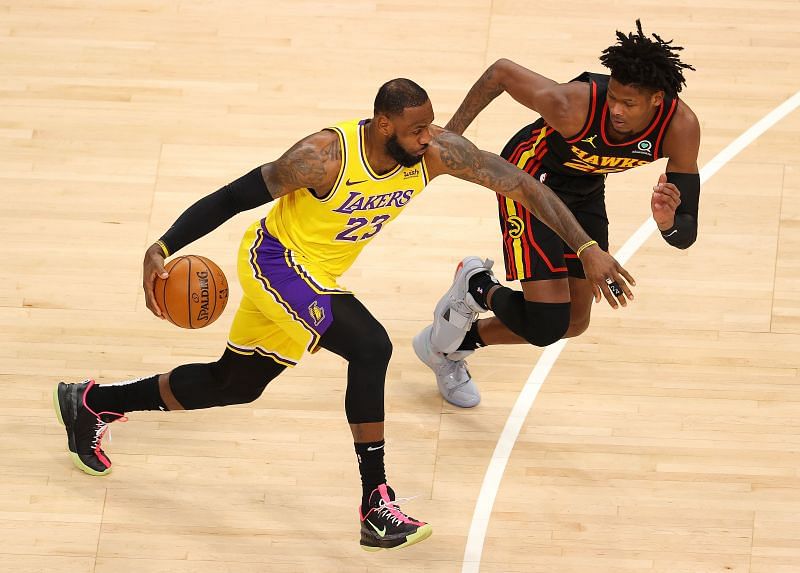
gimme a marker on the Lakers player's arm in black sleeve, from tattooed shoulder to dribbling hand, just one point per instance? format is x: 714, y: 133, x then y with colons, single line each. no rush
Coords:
x: 313, y: 162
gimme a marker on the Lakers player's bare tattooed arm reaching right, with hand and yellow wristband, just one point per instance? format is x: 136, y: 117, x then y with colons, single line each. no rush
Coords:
x: 454, y: 155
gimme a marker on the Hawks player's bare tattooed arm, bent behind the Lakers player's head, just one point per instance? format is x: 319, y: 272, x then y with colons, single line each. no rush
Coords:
x: 563, y: 106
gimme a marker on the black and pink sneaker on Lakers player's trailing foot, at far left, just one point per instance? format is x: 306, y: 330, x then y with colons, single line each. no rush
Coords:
x: 85, y: 427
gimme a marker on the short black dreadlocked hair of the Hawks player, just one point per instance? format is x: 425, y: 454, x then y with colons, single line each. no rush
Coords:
x: 638, y: 60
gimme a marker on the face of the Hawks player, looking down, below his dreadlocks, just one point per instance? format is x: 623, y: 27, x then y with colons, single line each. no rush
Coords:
x: 630, y: 108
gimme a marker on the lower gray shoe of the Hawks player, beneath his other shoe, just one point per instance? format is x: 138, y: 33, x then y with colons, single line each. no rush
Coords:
x: 454, y: 380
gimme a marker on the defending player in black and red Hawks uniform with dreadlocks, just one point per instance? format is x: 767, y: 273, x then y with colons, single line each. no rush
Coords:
x: 589, y: 127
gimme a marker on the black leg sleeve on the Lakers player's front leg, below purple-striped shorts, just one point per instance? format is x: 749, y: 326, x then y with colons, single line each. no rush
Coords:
x: 359, y: 338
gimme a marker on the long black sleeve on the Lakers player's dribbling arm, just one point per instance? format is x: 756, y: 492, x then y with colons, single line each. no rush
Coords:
x: 247, y: 192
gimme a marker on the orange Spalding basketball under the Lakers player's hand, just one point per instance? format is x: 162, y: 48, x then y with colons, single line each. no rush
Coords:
x: 194, y: 294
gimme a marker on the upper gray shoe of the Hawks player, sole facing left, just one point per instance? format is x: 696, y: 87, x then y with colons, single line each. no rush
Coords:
x: 457, y: 309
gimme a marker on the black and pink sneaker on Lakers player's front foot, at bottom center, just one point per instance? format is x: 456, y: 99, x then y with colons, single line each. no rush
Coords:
x: 386, y: 527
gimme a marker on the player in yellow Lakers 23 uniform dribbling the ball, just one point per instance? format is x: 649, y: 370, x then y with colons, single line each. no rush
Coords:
x: 334, y: 191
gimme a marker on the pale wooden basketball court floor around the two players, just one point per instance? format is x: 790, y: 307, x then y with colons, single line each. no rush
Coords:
x: 664, y: 440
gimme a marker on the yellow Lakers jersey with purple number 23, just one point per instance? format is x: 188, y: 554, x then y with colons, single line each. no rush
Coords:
x: 330, y: 231
